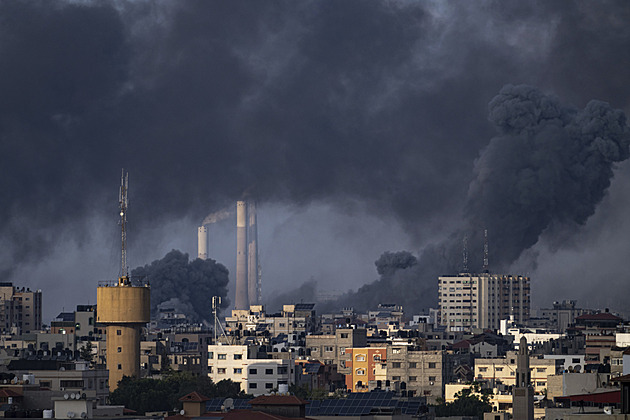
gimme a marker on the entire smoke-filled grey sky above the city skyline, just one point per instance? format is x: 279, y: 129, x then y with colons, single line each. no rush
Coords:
x: 359, y: 126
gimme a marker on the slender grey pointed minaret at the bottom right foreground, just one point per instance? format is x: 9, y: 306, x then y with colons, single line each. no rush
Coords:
x: 523, y: 392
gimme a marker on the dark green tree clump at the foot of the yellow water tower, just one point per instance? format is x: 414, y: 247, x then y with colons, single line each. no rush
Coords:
x: 146, y: 394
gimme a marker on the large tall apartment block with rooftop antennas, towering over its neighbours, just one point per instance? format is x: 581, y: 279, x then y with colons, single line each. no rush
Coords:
x: 470, y: 301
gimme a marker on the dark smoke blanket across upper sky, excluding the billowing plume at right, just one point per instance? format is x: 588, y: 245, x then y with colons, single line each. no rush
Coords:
x: 377, y: 103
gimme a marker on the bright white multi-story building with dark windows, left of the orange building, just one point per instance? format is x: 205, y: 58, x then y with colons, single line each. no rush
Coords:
x: 241, y: 364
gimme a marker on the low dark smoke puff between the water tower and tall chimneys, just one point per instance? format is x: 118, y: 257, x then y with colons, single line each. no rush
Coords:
x: 187, y: 286
